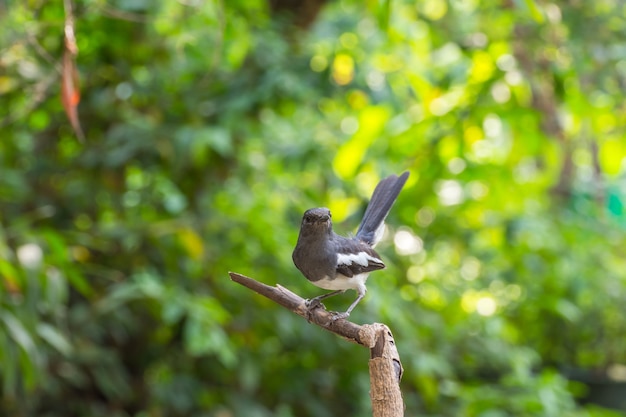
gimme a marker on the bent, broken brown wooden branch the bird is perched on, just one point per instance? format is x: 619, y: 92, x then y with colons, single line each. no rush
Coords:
x: 384, y: 364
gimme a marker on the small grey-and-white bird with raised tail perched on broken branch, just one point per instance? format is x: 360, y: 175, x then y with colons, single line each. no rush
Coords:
x: 340, y: 263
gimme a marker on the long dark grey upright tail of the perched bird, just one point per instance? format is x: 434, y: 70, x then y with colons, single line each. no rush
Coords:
x: 384, y: 196
